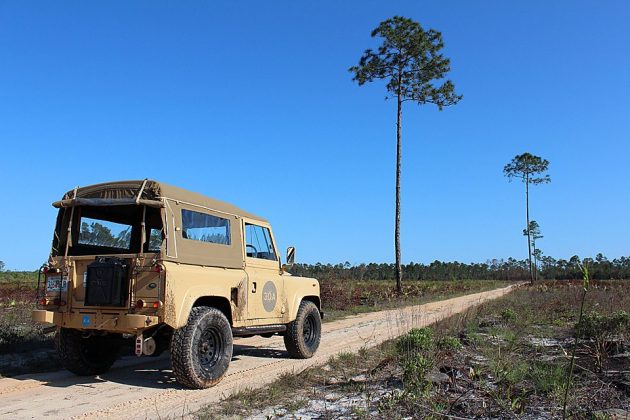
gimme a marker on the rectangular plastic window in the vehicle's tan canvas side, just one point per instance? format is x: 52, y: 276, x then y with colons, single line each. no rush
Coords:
x: 205, y: 227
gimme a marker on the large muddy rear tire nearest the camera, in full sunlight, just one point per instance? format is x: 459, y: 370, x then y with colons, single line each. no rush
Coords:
x: 201, y: 351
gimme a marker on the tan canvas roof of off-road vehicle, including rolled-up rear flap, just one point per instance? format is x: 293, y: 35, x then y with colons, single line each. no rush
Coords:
x: 144, y: 192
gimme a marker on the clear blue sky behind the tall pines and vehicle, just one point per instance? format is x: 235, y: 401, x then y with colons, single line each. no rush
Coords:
x: 252, y: 103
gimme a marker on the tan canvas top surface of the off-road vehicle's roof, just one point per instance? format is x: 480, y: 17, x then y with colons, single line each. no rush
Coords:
x: 154, y: 190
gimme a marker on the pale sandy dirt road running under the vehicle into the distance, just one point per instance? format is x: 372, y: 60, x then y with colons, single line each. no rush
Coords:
x: 145, y: 388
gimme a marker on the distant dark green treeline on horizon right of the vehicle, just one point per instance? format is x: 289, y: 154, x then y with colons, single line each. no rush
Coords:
x: 511, y: 269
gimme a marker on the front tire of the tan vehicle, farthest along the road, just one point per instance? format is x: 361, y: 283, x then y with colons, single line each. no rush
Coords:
x: 303, y: 335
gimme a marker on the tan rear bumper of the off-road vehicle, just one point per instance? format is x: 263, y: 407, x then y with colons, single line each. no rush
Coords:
x: 96, y: 321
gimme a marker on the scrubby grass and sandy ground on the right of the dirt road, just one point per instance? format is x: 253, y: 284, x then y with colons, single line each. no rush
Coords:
x: 506, y: 358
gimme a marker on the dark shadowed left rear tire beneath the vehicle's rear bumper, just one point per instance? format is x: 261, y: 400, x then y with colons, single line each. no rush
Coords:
x: 86, y: 356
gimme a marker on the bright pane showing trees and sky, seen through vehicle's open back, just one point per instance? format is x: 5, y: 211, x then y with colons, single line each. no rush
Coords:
x: 103, y: 233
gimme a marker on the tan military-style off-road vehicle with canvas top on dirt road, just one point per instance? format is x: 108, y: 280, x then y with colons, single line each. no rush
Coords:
x: 175, y: 269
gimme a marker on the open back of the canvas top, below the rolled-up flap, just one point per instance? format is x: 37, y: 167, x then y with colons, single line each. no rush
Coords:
x: 108, y: 230
